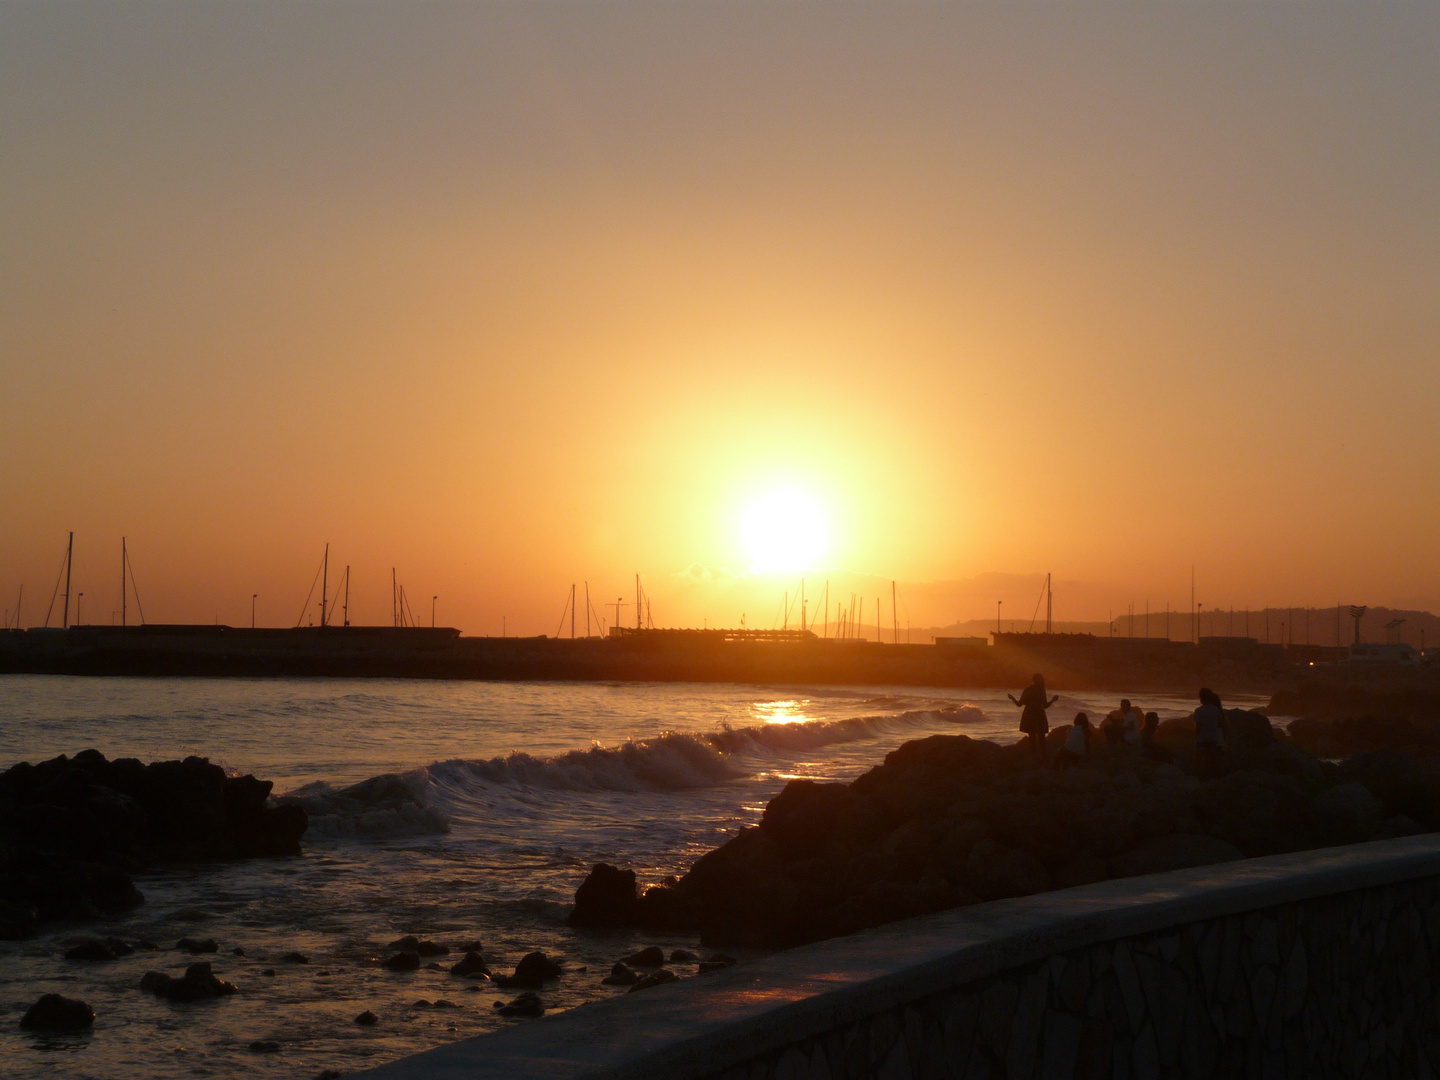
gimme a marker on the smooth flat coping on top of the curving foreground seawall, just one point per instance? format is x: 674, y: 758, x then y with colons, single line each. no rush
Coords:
x: 702, y: 1026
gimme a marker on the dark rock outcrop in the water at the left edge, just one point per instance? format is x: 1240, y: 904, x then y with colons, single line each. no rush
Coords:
x: 74, y: 830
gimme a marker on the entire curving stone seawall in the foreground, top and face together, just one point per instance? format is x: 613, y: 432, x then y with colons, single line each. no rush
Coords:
x: 1314, y: 964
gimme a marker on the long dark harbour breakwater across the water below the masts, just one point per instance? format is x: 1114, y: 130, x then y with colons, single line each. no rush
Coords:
x: 1069, y: 662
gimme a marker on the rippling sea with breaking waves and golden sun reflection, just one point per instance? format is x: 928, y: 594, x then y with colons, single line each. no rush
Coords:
x: 456, y: 811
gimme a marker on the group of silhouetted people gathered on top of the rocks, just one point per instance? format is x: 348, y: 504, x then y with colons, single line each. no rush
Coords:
x: 1125, y: 726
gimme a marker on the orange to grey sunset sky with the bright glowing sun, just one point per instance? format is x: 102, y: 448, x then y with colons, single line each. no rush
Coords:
x: 510, y: 297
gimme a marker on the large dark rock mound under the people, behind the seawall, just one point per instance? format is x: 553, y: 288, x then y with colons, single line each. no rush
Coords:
x: 950, y: 822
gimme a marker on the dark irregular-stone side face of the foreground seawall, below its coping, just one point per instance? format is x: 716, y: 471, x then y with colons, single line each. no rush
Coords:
x: 1338, y: 987
